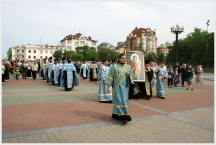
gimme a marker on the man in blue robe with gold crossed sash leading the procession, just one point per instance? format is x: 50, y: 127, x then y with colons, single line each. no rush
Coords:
x: 119, y: 77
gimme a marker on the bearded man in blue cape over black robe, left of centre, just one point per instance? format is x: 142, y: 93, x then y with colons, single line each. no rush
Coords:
x: 69, y: 75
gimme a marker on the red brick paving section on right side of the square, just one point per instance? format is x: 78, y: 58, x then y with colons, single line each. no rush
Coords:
x: 181, y: 101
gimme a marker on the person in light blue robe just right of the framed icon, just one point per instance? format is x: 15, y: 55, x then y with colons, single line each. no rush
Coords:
x: 162, y: 74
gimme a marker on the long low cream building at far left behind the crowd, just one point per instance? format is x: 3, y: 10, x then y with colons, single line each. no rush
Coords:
x: 32, y: 52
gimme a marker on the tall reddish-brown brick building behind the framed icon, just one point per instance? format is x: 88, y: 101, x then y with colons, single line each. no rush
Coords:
x: 144, y: 38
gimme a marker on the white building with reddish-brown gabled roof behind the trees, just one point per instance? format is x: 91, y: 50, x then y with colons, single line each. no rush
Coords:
x: 70, y: 42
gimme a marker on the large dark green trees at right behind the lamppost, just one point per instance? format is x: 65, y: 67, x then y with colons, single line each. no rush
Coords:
x: 193, y: 49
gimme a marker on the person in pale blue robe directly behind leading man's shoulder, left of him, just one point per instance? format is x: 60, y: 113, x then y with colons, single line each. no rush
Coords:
x: 103, y: 96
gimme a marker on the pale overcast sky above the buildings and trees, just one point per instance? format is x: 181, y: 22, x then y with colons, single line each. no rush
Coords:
x: 49, y: 22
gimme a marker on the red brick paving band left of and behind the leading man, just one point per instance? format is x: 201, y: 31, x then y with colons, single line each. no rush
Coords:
x: 58, y: 114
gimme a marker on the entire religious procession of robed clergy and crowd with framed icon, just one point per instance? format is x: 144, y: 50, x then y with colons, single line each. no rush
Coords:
x: 128, y: 77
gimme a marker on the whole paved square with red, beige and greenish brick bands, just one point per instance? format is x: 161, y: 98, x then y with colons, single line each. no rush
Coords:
x: 36, y: 112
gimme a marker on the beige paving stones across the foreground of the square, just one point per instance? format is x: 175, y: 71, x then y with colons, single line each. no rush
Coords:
x: 155, y: 130
